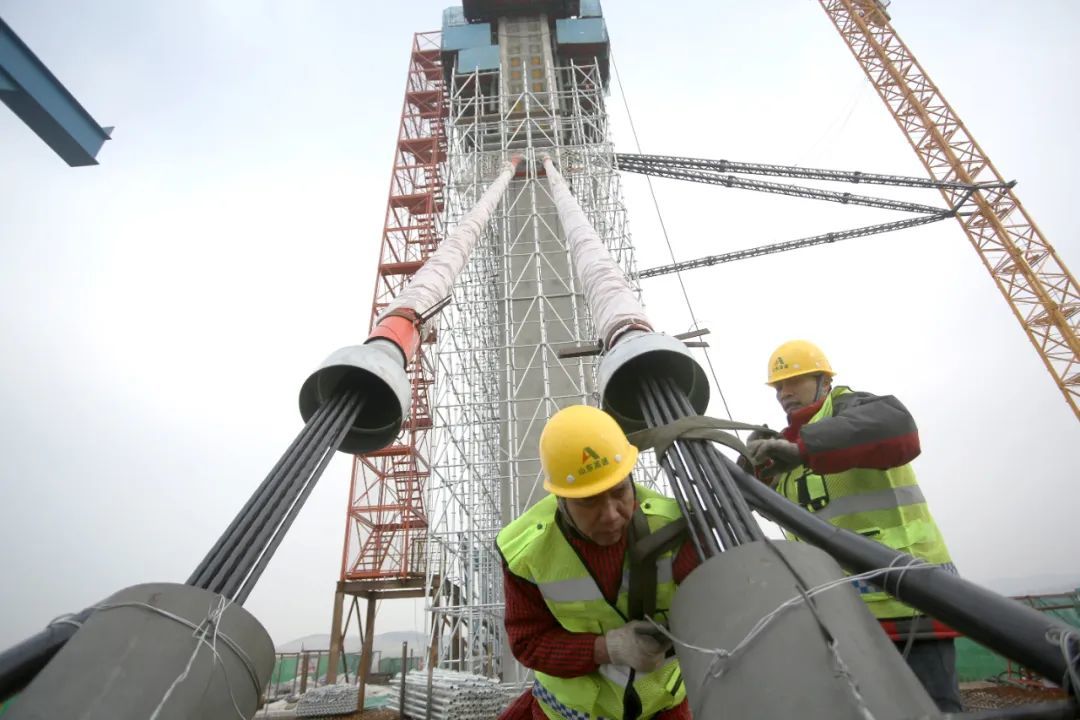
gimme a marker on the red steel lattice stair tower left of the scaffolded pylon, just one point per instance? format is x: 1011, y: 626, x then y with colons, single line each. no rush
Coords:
x: 387, y: 520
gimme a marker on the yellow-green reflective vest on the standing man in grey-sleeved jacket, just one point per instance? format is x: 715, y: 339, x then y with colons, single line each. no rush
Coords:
x: 886, y: 506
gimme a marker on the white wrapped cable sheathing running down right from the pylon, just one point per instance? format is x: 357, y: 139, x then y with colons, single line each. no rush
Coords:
x: 607, y: 292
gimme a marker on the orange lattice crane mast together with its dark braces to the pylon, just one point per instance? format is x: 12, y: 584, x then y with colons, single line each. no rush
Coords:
x: 1039, y: 289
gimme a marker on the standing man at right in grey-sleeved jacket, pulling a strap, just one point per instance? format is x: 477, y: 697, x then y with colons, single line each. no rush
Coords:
x: 846, y: 457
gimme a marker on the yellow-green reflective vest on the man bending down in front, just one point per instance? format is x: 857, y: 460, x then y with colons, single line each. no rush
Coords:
x: 536, y: 550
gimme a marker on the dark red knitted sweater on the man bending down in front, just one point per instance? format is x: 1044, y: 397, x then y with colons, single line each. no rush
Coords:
x: 542, y: 644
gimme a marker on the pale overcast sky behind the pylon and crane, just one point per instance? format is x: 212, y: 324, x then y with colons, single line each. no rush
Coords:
x: 159, y: 313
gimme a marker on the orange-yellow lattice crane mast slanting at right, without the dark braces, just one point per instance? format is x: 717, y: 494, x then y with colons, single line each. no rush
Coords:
x: 1035, y: 282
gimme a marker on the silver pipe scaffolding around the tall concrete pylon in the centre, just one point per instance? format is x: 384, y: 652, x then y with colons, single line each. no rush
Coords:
x: 515, y: 346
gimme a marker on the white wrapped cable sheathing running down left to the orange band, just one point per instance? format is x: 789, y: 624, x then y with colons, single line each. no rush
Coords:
x: 434, y: 281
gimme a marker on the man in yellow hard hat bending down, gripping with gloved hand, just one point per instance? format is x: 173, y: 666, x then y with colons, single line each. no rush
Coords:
x: 576, y: 604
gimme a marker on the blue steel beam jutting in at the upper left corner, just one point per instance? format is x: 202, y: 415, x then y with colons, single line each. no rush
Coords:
x: 42, y: 102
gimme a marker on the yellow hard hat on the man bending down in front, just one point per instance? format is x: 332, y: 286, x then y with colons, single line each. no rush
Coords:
x: 585, y: 453
